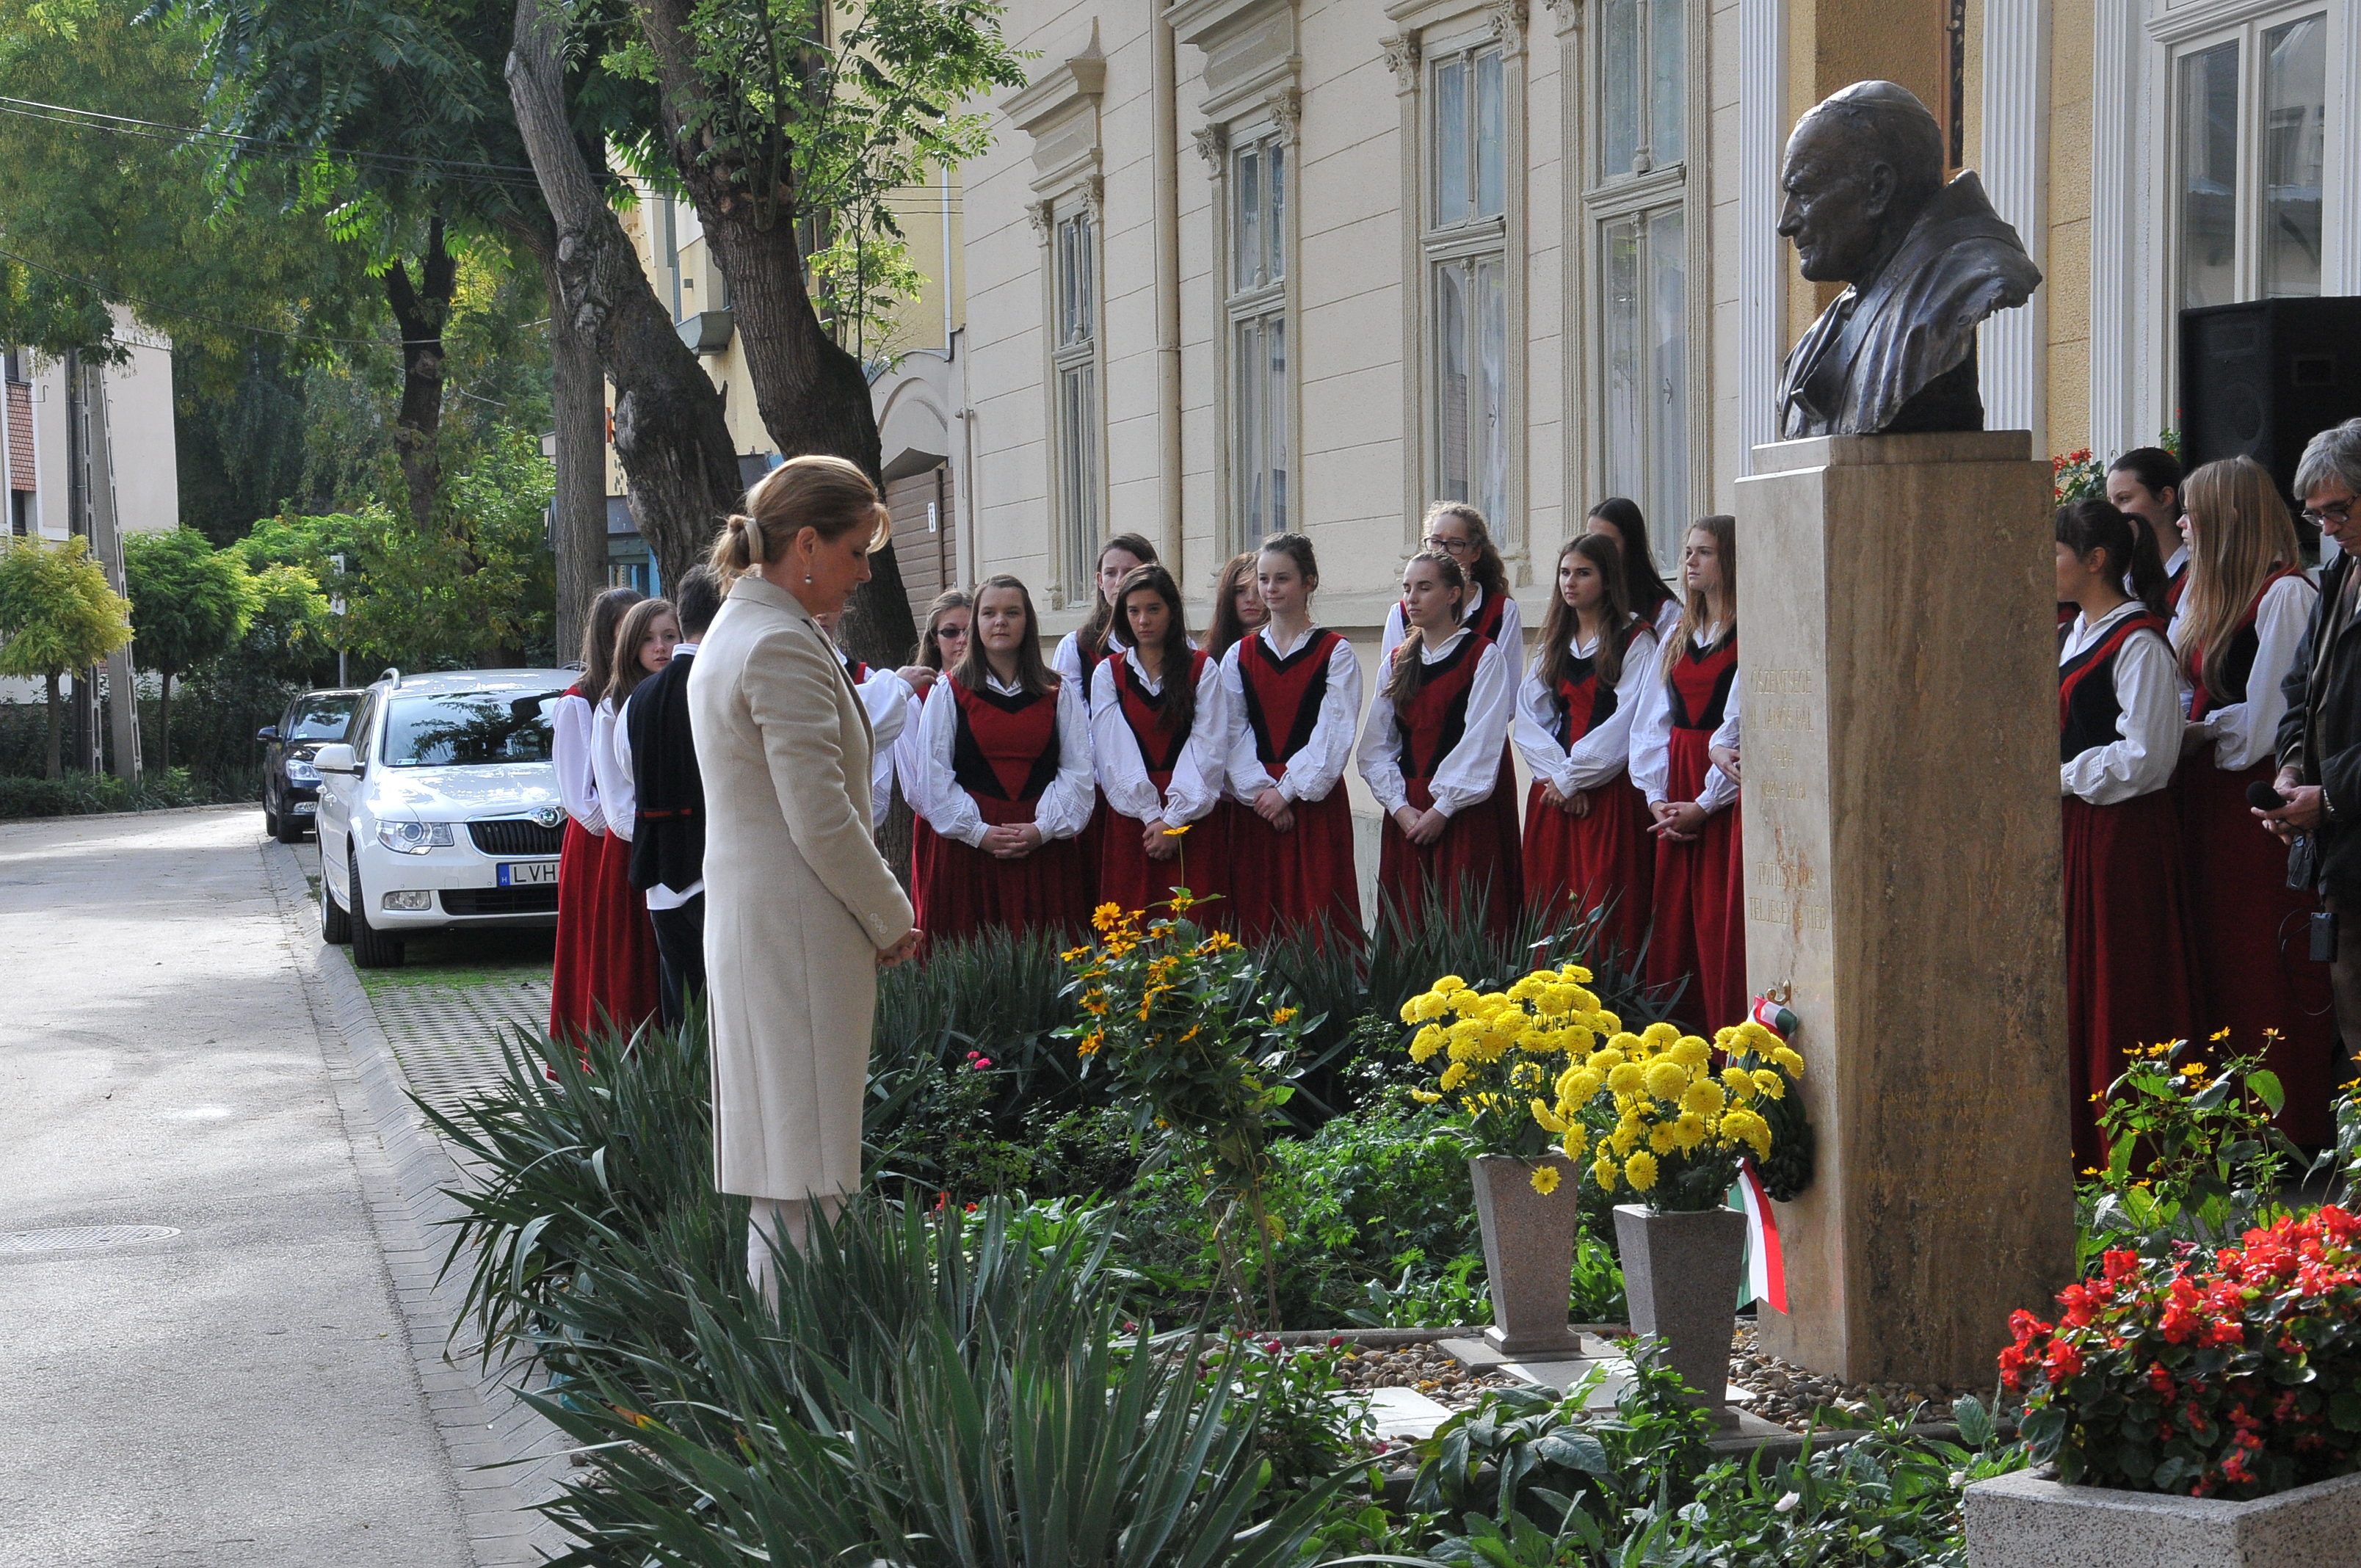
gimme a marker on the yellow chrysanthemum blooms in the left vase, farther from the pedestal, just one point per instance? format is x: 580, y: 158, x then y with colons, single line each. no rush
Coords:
x: 1498, y: 1057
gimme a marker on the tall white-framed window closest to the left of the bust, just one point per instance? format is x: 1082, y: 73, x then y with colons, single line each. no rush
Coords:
x: 1637, y: 209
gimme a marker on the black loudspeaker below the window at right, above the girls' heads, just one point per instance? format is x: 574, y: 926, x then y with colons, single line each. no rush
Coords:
x: 2263, y: 379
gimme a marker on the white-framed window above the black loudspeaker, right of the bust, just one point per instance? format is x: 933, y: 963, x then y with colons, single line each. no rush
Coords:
x: 2249, y: 152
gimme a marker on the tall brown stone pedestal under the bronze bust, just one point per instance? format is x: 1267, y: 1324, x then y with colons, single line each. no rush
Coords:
x: 1902, y: 873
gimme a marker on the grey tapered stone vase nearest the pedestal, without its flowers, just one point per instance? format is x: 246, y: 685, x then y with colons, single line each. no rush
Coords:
x: 1682, y: 1283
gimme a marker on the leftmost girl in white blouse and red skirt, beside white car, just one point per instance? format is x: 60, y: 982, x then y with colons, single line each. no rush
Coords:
x: 591, y: 981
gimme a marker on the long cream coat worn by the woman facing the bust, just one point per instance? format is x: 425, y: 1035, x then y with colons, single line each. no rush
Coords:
x: 797, y: 899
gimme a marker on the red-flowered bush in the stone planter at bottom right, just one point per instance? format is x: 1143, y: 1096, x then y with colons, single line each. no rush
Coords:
x: 2232, y: 1373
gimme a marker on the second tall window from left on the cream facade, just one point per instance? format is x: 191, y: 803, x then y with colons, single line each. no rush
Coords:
x: 1257, y: 306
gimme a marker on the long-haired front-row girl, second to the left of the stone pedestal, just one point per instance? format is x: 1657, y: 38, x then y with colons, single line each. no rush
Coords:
x: 1585, y: 825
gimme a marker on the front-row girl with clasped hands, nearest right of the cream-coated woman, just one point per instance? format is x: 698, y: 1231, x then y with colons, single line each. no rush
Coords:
x: 1007, y: 754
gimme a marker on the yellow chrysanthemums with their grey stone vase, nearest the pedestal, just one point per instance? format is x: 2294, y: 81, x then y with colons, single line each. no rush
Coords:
x: 1652, y: 1113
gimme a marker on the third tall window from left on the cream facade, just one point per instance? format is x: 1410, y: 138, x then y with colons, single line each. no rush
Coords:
x: 1470, y: 277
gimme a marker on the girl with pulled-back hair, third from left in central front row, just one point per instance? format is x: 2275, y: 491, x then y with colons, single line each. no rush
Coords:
x: 1293, y: 703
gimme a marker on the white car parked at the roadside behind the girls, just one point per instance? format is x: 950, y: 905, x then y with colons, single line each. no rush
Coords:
x: 443, y: 811
